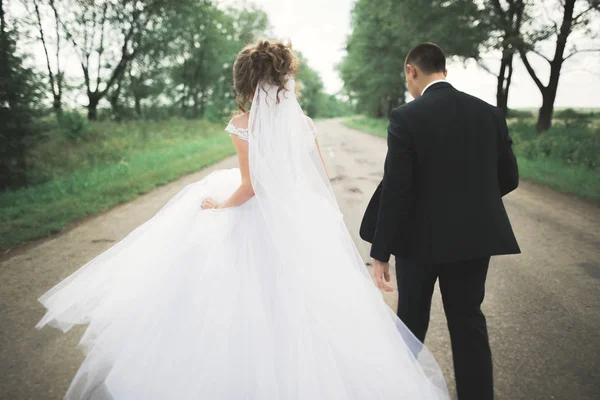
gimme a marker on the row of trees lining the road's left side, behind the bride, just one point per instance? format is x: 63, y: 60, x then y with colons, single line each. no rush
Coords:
x: 123, y: 60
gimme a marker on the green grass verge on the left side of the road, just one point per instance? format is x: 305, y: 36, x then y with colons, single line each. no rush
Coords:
x: 112, y: 164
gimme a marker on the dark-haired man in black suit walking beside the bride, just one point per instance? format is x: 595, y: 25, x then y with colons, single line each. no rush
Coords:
x: 439, y: 210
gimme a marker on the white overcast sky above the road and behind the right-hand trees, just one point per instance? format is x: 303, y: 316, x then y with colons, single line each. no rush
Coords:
x: 318, y: 28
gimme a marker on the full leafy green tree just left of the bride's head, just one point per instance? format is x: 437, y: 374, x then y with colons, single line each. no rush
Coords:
x: 184, y: 65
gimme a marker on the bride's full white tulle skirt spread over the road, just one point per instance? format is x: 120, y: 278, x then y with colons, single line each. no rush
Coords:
x: 192, y: 305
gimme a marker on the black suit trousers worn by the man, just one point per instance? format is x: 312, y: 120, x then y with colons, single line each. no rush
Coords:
x: 462, y: 285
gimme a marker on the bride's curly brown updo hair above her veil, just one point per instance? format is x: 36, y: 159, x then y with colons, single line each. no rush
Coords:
x: 270, y: 61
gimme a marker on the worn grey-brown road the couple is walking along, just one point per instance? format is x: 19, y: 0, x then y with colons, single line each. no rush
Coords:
x: 543, y: 306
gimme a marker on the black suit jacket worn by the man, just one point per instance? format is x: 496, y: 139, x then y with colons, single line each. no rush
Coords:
x: 449, y: 163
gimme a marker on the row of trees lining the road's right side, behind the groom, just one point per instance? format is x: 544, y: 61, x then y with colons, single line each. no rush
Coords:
x: 383, y: 31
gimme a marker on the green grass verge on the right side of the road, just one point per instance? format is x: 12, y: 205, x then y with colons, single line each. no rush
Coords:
x: 564, y: 159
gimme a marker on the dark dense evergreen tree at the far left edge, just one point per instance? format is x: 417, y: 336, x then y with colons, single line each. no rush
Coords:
x: 18, y: 98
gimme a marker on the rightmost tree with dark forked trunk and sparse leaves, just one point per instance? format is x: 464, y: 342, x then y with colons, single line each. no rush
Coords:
x: 575, y: 15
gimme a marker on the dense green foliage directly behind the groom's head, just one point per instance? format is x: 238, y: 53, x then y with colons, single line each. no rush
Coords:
x: 383, y: 31
